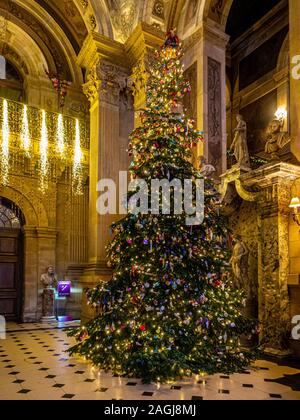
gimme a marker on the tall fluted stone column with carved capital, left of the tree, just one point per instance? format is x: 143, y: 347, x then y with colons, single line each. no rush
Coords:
x: 106, y: 78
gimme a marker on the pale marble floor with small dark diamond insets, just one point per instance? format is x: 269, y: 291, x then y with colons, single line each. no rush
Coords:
x: 35, y: 366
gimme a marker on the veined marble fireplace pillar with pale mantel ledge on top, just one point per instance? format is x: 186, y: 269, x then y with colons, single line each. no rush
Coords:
x: 275, y: 182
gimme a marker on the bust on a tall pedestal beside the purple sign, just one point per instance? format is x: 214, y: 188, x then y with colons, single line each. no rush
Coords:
x: 49, y: 282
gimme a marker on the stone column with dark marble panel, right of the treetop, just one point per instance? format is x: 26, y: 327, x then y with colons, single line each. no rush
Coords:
x: 208, y: 48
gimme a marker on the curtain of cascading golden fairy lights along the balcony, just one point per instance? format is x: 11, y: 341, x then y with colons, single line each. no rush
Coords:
x: 59, y: 142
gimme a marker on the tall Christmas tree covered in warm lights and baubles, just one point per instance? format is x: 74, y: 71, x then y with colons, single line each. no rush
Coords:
x: 170, y: 309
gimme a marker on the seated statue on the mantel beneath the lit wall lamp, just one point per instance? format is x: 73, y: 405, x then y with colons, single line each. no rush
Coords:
x: 276, y: 138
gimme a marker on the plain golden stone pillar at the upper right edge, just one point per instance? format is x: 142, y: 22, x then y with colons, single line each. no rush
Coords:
x: 294, y: 37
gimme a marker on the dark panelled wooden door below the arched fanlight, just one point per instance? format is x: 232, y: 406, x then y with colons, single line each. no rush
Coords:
x: 10, y: 274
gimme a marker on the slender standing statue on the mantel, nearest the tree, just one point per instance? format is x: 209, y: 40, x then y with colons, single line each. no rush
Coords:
x: 239, y: 145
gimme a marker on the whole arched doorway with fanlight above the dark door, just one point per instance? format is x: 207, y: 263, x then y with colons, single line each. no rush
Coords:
x: 11, y: 260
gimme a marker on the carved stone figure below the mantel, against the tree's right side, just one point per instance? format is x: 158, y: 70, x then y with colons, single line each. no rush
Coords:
x: 239, y: 264
